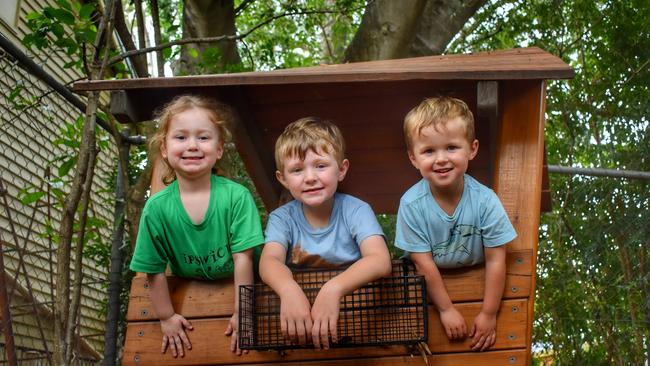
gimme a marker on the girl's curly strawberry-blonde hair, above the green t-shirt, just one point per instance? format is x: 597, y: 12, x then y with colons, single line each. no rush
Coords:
x: 220, y: 115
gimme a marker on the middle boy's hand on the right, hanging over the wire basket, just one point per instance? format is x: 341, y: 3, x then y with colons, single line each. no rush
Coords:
x: 326, y: 315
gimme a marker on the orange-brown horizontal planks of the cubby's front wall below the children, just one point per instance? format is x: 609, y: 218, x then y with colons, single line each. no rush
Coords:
x: 209, y: 306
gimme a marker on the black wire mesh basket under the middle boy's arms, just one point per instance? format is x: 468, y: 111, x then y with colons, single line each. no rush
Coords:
x: 392, y: 310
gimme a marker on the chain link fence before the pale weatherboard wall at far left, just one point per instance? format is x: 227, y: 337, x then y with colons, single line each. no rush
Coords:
x: 39, y: 132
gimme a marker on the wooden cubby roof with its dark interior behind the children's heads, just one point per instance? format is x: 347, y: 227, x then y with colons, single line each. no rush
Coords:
x: 368, y: 100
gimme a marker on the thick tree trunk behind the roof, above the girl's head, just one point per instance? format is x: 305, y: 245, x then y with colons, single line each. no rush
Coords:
x: 208, y: 18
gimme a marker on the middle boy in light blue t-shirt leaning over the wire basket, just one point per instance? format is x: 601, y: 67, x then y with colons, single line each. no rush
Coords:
x: 319, y: 228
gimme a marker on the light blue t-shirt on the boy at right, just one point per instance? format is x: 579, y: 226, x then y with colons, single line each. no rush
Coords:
x: 457, y: 240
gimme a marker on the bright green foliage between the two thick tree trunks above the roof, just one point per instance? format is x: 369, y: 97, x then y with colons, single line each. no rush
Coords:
x: 305, y: 32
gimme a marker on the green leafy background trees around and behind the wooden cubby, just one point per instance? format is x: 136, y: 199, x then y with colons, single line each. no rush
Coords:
x: 593, y: 297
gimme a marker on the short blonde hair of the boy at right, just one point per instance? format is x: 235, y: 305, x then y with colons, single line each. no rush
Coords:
x: 437, y: 112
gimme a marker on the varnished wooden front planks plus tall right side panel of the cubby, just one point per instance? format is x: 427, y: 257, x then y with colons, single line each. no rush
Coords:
x: 517, y: 179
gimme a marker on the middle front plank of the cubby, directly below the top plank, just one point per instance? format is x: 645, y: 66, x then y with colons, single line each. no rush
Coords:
x: 210, y: 346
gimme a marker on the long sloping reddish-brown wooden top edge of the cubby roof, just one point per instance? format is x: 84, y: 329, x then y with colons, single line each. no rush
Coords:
x: 521, y: 63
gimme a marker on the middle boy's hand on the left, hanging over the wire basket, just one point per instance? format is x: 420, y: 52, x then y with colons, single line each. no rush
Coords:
x: 295, y: 317
